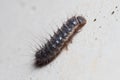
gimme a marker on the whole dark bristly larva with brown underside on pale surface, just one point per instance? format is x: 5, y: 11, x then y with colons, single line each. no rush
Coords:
x: 59, y: 41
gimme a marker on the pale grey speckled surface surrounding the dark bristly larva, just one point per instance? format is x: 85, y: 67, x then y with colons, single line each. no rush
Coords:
x: 93, y: 55
